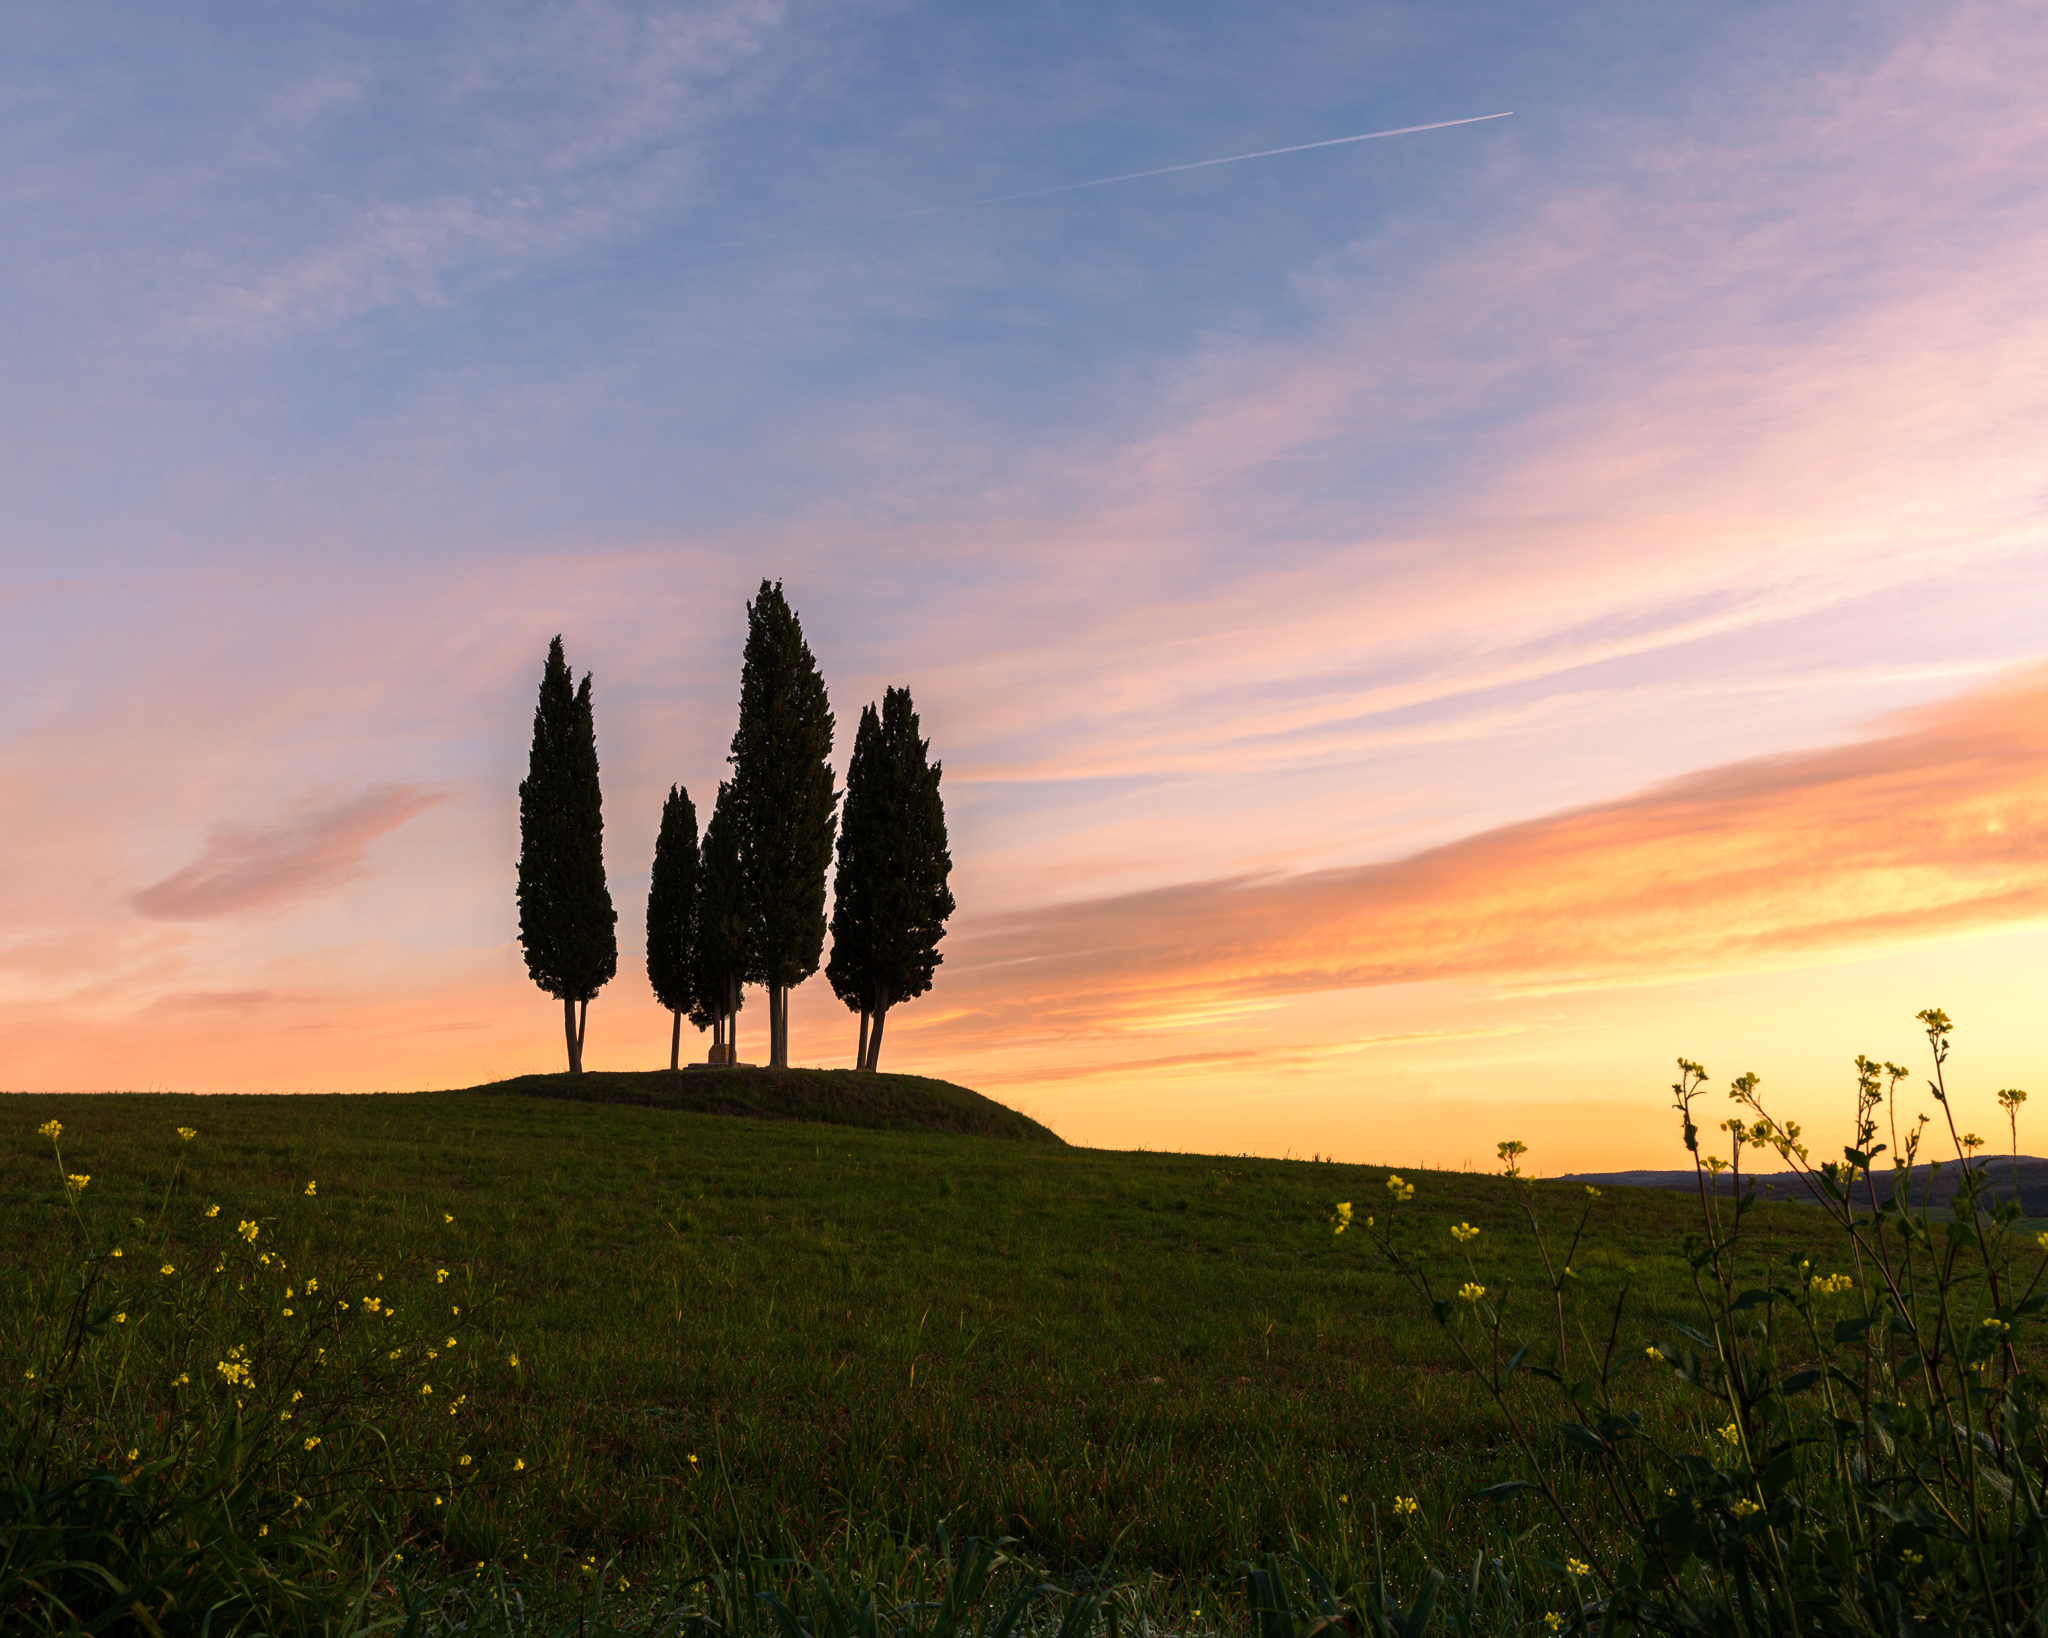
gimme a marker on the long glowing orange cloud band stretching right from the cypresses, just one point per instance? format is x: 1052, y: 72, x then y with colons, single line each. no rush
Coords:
x: 1936, y: 828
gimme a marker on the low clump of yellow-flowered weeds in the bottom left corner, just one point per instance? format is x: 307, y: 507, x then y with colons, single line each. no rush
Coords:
x: 210, y: 1424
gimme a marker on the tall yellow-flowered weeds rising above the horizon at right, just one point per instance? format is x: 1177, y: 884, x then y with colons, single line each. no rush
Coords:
x: 1861, y: 1442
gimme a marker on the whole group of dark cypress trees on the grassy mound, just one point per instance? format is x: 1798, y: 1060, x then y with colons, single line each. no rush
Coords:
x: 746, y: 904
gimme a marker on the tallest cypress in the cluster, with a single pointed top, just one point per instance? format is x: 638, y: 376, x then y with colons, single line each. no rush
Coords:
x: 783, y: 804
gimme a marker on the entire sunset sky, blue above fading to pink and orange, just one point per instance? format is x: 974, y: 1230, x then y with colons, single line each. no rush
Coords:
x: 1420, y: 634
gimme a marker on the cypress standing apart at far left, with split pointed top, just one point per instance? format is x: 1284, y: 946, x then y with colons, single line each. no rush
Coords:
x: 566, y: 918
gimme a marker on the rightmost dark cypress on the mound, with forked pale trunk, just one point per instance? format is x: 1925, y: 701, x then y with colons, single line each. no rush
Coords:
x: 894, y: 869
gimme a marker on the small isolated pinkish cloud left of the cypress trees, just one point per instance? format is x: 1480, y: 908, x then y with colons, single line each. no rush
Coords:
x: 251, y: 867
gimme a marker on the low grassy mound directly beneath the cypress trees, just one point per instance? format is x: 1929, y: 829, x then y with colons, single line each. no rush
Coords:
x: 833, y: 1096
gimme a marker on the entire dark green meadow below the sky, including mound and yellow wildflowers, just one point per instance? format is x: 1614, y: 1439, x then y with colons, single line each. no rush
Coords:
x: 607, y: 1356
